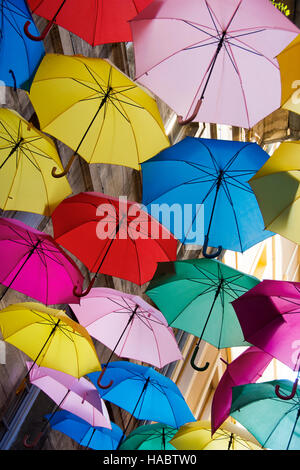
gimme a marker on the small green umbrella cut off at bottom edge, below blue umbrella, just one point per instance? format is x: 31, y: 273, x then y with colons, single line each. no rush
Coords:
x: 150, y: 437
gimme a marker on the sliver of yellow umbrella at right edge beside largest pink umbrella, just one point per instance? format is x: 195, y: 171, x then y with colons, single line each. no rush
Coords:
x: 289, y: 64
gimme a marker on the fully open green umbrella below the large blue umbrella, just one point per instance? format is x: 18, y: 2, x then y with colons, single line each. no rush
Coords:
x: 195, y: 295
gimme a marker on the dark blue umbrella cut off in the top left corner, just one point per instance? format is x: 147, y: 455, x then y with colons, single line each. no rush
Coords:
x: 19, y: 56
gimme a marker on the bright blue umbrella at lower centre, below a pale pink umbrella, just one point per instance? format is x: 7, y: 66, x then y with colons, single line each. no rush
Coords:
x: 144, y: 393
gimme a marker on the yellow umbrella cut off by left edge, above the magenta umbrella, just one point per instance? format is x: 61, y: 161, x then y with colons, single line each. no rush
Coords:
x: 27, y: 157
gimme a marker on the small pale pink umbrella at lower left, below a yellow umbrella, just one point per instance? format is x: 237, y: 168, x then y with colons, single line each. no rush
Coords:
x: 78, y: 396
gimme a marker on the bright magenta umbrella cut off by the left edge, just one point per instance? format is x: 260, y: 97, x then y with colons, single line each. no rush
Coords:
x: 34, y: 264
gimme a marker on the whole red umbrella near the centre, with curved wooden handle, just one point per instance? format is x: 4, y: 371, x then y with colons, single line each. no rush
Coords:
x: 112, y: 236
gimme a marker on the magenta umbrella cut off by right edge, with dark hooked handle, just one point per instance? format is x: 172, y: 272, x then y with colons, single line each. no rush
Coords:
x: 269, y: 315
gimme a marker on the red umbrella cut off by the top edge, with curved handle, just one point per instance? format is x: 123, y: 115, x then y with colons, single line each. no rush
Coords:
x: 95, y: 22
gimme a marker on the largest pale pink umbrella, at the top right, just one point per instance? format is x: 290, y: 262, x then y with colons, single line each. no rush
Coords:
x: 212, y: 60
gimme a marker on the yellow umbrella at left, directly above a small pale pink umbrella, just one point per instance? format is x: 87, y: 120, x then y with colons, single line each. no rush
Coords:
x: 50, y: 338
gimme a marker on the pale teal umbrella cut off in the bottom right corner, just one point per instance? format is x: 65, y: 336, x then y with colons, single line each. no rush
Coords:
x: 274, y: 422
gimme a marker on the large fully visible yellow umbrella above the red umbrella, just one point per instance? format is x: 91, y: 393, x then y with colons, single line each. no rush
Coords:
x: 91, y: 106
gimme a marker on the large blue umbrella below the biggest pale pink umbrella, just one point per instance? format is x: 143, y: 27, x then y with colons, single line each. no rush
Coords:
x: 213, y: 174
